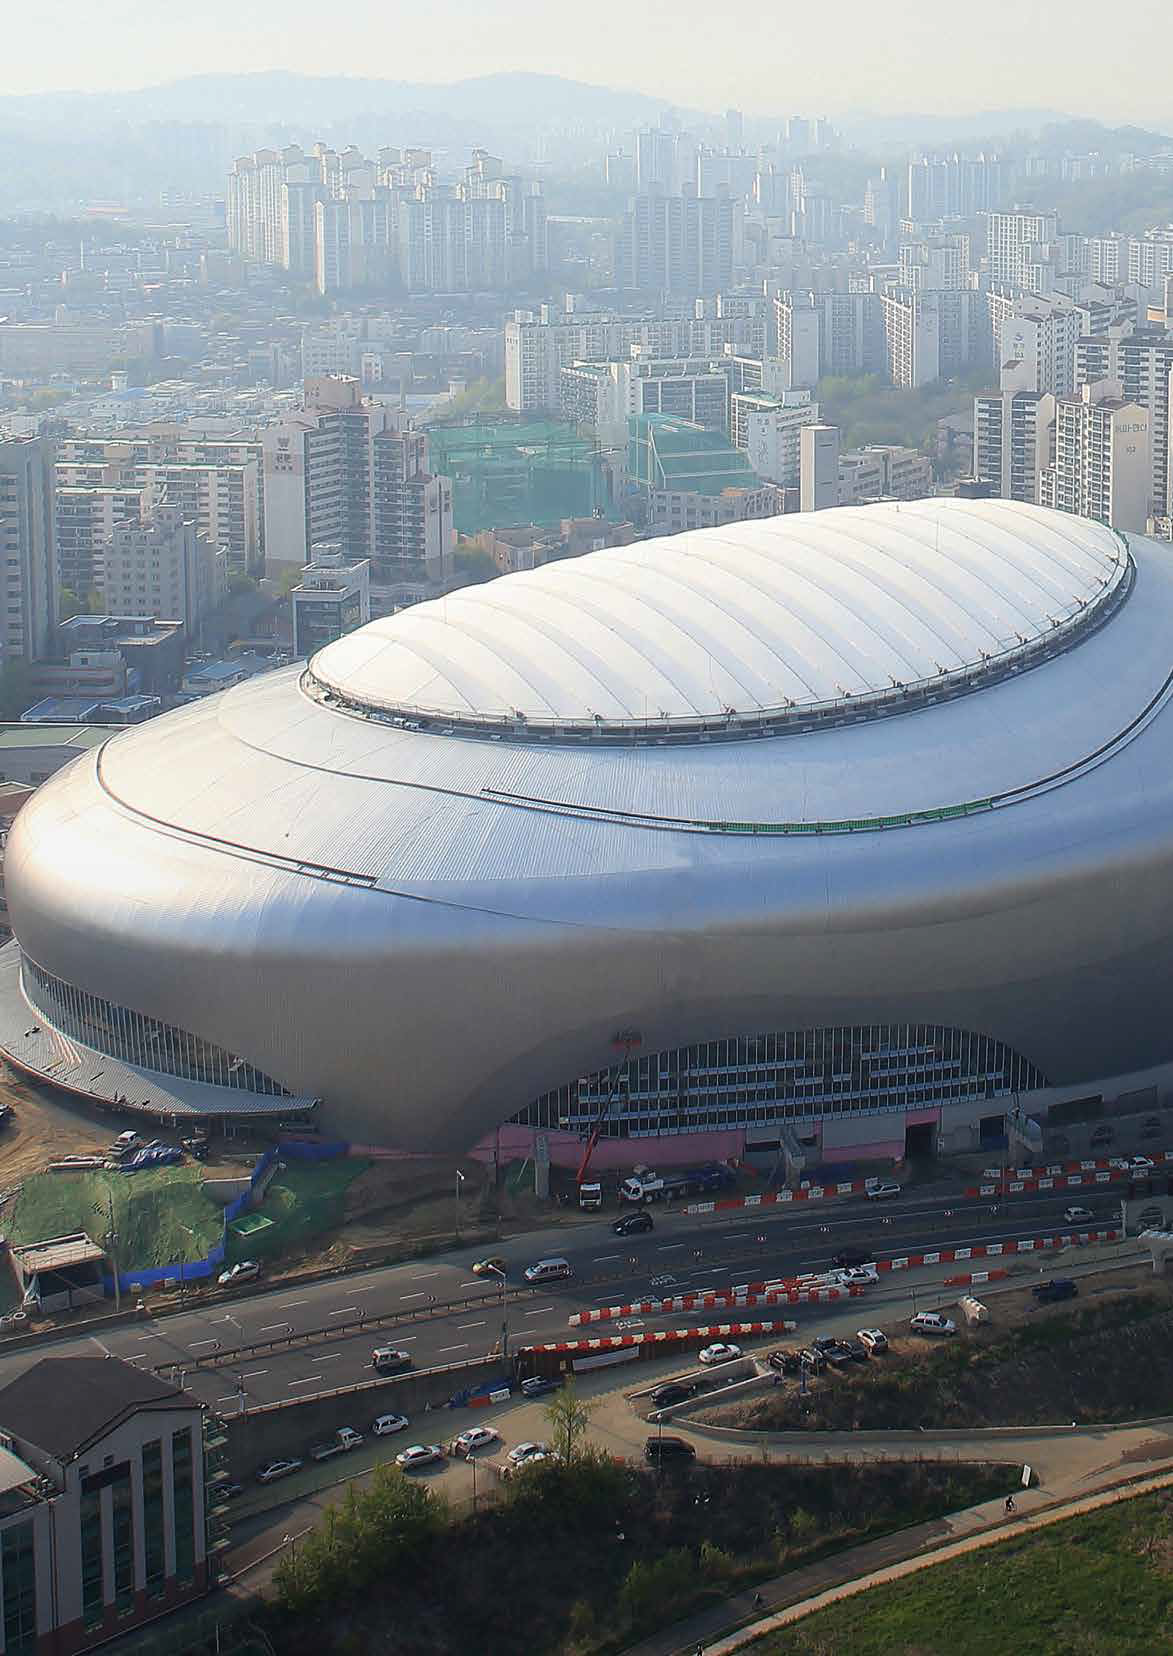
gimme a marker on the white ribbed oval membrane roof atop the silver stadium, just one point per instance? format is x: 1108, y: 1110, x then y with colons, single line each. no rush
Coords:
x: 781, y: 615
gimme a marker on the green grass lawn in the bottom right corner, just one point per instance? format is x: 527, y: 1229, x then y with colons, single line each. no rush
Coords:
x: 1101, y: 1586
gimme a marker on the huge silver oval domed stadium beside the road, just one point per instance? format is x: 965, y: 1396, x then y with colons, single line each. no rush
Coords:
x: 856, y: 826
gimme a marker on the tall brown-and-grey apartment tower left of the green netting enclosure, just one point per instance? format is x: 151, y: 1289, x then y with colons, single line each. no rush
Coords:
x: 355, y: 474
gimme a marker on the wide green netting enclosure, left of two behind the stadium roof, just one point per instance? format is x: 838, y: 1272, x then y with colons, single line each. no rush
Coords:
x: 511, y: 471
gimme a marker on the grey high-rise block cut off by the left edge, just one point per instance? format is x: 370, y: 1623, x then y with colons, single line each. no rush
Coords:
x: 27, y: 547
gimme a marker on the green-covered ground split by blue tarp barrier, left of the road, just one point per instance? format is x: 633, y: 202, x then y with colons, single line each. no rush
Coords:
x: 162, y: 1216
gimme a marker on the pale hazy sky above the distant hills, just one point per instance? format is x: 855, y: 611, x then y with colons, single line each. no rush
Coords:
x: 891, y: 55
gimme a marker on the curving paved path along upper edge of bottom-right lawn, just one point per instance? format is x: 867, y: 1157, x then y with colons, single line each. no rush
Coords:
x: 801, y: 1592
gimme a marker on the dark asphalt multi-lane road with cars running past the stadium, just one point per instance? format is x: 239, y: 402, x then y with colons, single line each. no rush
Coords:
x: 317, y: 1337
